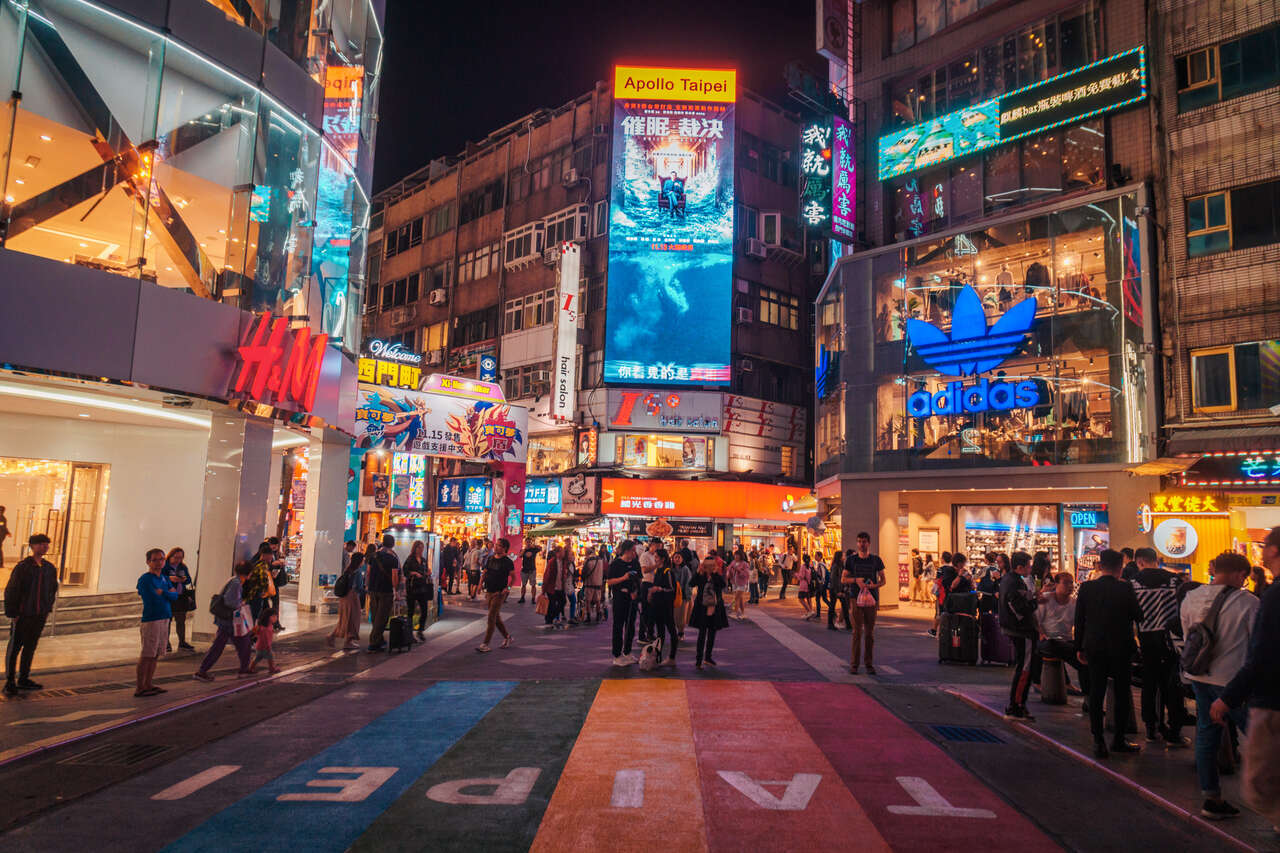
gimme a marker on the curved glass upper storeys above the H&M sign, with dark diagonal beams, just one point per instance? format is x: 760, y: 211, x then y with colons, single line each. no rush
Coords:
x: 131, y: 153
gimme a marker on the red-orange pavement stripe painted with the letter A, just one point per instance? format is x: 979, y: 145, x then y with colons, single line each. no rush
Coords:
x: 766, y: 784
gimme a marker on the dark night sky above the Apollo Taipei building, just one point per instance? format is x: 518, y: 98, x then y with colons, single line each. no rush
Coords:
x: 458, y: 70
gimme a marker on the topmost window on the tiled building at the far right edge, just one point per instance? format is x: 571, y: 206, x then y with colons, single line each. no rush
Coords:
x: 1235, y: 69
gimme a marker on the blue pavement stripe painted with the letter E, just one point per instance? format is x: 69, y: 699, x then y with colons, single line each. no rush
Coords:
x: 410, y: 740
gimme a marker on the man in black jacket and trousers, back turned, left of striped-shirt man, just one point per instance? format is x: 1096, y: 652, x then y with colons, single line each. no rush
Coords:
x: 1107, y: 612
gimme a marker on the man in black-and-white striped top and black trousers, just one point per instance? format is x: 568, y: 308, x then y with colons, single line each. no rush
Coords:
x: 1158, y: 596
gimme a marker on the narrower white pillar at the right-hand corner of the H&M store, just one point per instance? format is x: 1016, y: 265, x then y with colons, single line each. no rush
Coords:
x: 326, y: 521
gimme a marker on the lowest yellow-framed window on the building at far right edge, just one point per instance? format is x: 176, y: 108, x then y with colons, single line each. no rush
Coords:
x: 1236, y: 378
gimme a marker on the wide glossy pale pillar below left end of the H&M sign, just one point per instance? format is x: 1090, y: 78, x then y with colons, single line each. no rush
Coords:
x: 237, y: 489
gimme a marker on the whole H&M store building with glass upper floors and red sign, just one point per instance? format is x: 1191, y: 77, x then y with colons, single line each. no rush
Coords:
x: 184, y: 235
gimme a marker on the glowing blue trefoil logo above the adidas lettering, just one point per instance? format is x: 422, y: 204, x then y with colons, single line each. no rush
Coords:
x: 972, y: 348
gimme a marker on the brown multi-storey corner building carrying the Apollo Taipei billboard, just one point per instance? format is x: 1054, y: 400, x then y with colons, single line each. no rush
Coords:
x: 687, y: 370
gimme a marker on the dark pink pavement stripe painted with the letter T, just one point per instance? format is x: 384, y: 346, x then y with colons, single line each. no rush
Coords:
x: 889, y: 765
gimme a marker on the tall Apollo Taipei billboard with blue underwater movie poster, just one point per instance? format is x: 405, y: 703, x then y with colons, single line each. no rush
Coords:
x: 671, y: 226
